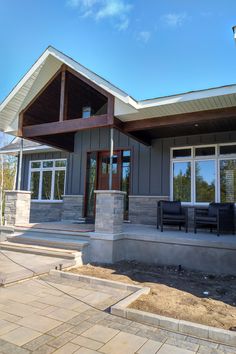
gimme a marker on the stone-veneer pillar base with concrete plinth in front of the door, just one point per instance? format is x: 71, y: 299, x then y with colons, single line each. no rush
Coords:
x: 105, y: 241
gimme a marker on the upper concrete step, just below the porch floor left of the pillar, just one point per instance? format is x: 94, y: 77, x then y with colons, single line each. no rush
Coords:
x: 65, y: 242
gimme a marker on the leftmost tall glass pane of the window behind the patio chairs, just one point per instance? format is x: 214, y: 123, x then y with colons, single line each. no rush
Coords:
x: 182, y: 181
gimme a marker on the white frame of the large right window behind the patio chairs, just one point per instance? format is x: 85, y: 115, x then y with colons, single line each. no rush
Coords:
x: 192, y: 159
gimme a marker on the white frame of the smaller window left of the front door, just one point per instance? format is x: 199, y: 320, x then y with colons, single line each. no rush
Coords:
x: 53, y: 169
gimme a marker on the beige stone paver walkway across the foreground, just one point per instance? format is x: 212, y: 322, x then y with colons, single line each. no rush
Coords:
x: 37, y: 316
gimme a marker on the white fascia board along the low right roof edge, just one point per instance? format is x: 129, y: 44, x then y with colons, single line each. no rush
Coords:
x: 189, y: 96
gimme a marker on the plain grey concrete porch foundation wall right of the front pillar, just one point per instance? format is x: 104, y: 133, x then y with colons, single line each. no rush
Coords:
x: 207, y: 259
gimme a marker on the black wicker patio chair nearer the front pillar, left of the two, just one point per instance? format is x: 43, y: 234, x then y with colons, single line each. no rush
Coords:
x: 171, y: 213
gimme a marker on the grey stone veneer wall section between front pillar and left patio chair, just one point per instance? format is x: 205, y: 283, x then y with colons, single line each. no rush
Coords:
x: 143, y: 208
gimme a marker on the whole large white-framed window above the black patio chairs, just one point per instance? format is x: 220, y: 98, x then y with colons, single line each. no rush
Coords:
x: 203, y: 174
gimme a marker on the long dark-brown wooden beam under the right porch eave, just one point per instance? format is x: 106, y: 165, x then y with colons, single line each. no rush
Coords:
x: 185, y: 118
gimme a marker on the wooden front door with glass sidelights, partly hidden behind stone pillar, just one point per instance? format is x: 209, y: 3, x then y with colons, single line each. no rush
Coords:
x: 98, y: 168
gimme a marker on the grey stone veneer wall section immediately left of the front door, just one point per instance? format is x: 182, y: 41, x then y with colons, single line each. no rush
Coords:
x: 73, y: 207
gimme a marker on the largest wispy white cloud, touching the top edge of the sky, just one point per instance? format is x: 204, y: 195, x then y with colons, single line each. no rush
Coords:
x: 117, y: 10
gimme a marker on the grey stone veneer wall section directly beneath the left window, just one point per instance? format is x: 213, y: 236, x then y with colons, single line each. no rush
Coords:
x: 45, y: 212
